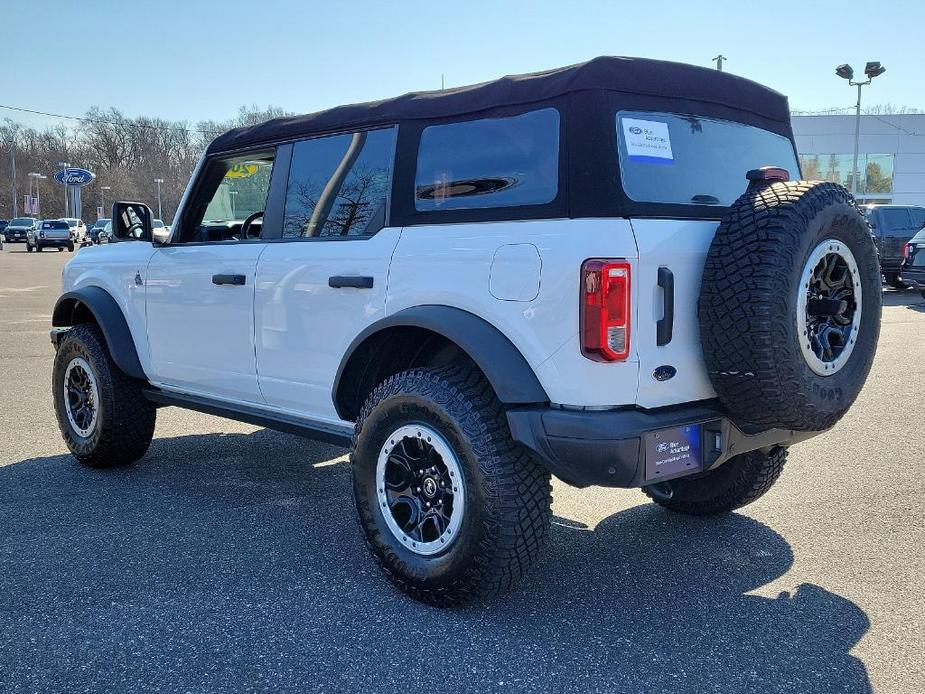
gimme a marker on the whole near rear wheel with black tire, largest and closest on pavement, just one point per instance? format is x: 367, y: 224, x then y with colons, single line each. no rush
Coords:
x: 451, y: 507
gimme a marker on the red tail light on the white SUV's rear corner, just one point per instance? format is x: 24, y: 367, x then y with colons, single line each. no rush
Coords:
x: 605, y: 309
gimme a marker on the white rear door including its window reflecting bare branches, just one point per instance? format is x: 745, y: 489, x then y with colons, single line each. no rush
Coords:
x: 325, y: 279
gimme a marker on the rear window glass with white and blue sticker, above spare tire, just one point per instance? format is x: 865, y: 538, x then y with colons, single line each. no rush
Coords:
x: 691, y: 160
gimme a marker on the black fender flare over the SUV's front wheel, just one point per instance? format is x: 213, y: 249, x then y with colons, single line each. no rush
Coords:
x: 109, y: 317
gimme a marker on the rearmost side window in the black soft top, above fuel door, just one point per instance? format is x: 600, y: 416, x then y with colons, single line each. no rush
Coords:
x: 492, y: 162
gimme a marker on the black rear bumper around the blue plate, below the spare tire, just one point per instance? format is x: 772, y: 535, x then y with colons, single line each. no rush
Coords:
x: 607, y: 448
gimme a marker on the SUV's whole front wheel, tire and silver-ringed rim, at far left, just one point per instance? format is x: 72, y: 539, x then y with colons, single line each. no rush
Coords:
x: 105, y: 419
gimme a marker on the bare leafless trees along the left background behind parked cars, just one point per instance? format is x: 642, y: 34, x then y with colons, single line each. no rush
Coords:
x: 126, y: 154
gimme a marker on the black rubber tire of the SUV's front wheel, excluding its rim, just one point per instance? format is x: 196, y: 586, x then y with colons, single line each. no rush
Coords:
x: 125, y: 418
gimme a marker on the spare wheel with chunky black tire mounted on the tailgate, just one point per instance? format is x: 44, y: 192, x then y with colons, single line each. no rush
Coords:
x: 789, y: 305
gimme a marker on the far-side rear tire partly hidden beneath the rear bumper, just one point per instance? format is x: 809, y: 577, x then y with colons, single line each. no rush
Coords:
x: 737, y: 482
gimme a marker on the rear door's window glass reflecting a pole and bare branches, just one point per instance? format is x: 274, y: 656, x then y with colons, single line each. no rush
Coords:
x: 339, y: 185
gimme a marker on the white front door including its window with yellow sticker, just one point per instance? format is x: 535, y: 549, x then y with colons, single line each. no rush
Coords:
x: 200, y: 287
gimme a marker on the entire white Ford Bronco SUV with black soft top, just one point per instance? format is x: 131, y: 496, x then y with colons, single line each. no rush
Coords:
x: 608, y: 272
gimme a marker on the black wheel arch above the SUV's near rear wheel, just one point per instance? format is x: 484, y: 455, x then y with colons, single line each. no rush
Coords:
x: 431, y: 332
